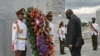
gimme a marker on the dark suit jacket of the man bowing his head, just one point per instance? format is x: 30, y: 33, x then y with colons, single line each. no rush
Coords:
x: 74, y: 32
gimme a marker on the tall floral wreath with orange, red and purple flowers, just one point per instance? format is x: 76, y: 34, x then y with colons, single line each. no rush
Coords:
x: 37, y: 25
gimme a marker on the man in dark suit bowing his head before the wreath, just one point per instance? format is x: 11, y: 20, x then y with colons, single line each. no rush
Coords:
x: 74, y: 33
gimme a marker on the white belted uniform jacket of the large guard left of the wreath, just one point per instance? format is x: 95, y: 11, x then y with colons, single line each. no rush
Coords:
x: 19, y: 44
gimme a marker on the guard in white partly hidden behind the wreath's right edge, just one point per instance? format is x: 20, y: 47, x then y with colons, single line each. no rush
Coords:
x: 51, y: 33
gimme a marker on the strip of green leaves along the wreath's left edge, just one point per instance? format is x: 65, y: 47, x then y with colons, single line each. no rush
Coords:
x: 32, y: 34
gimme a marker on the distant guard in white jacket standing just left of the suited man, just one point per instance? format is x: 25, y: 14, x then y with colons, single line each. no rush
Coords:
x: 61, y: 32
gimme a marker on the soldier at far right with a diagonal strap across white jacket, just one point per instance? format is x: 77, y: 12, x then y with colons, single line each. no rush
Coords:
x: 94, y: 33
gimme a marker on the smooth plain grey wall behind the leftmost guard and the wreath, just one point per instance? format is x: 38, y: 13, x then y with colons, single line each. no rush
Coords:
x: 8, y: 16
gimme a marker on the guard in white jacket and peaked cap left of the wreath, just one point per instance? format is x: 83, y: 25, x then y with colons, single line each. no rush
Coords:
x: 19, y: 34
